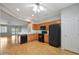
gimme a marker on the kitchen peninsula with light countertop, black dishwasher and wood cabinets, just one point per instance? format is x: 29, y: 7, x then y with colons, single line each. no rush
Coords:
x: 24, y: 38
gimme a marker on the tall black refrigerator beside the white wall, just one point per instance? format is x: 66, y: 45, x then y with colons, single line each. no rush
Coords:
x: 55, y: 35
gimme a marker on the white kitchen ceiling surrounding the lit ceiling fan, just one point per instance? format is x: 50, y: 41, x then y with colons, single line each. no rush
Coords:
x: 52, y: 10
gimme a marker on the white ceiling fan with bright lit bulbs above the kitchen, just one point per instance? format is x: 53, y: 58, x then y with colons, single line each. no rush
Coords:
x: 37, y: 7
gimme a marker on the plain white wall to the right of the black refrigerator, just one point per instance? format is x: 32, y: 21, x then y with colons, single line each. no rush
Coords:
x: 70, y: 28
